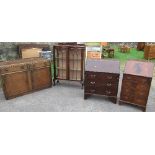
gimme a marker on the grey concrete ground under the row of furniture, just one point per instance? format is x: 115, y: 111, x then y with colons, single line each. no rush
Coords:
x: 68, y: 97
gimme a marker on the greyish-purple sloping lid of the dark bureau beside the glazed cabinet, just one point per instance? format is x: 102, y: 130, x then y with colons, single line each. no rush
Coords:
x: 106, y: 66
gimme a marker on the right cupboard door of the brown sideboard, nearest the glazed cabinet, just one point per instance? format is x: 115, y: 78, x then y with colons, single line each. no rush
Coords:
x: 41, y: 78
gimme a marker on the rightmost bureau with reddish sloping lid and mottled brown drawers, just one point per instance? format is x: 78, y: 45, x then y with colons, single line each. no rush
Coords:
x: 136, y: 83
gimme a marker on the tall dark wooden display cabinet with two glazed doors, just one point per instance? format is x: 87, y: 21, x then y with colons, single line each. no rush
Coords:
x: 68, y: 62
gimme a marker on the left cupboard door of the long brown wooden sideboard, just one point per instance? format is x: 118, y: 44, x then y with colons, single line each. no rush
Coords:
x: 16, y: 84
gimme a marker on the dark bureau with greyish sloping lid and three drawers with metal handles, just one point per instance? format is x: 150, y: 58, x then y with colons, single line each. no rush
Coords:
x: 102, y: 78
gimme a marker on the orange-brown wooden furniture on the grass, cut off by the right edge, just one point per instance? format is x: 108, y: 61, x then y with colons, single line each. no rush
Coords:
x: 149, y: 51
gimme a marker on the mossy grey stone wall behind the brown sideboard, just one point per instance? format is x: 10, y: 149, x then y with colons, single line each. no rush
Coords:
x: 9, y: 50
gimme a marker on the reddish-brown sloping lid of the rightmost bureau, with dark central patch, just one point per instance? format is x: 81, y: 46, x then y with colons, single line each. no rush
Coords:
x: 139, y: 68
